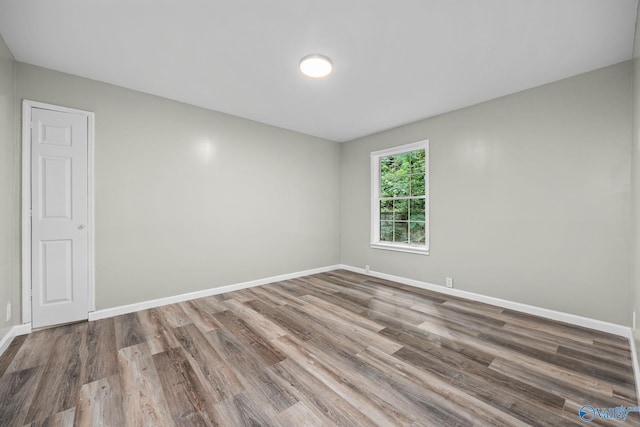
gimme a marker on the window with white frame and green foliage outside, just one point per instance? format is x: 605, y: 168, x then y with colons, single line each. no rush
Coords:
x: 400, y: 197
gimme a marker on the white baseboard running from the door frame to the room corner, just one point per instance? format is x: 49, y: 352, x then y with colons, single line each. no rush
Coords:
x: 130, y: 308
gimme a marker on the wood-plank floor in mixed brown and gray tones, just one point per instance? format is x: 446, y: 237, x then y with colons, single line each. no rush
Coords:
x: 337, y: 348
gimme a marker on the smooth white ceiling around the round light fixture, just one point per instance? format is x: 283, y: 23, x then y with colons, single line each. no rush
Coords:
x: 394, y: 61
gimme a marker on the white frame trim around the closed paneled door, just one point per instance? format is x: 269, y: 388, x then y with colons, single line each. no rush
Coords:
x: 27, y: 105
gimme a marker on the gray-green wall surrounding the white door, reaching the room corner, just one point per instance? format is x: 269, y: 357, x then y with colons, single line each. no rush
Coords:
x: 189, y: 199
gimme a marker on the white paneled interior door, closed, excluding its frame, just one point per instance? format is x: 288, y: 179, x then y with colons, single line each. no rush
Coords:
x: 59, y: 217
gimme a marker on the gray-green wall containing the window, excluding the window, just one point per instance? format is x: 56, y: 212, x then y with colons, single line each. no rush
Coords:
x: 530, y: 197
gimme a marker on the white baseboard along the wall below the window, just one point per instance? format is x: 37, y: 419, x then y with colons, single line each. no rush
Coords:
x: 573, y: 319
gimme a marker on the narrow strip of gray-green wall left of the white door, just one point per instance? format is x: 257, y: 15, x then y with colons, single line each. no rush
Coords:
x: 9, y: 193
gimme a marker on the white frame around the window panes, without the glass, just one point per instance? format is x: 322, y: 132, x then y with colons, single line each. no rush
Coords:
x: 376, y: 243
